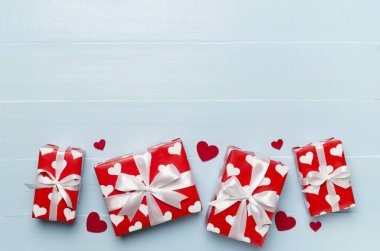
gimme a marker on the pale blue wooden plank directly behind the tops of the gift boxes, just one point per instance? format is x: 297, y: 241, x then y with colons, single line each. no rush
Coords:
x: 128, y: 127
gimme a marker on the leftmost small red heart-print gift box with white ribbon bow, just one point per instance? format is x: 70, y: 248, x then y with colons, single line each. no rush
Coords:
x: 57, y: 183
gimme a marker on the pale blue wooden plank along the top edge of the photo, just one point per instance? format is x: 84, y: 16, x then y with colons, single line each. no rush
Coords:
x: 183, y: 20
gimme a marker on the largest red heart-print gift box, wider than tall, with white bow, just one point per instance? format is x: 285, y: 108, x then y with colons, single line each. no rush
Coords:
x: 143, y: 190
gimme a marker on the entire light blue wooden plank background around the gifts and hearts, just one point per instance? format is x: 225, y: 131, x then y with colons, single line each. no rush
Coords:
x: 237, y: 72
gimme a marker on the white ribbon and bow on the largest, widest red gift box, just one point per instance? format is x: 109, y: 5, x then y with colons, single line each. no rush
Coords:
x: 162, y: 188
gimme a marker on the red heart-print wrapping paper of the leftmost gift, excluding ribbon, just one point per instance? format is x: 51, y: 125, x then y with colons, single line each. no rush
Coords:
x: 73, y: 162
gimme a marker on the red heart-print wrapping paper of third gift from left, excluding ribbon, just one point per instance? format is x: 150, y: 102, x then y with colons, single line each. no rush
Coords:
x: 275, y: 177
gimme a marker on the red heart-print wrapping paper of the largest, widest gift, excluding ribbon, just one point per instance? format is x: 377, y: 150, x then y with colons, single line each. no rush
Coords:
x: 161, y: 155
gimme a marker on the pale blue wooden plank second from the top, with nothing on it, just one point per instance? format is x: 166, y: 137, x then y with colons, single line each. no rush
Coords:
x: 188, y: 72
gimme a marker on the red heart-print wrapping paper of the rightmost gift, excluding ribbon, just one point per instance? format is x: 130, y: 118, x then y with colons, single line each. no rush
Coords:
x: 308, y: 161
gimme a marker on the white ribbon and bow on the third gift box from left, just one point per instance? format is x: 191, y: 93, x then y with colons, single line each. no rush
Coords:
x: 256, y: 205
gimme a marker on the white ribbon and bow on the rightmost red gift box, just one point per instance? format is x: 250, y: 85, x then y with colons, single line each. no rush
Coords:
x: 327, y: 175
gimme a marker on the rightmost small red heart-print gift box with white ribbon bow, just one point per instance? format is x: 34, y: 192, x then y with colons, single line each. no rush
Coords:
x: 325, y: 177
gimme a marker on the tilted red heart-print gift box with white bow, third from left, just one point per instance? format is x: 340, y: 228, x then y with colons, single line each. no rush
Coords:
x: 246, y: 196
